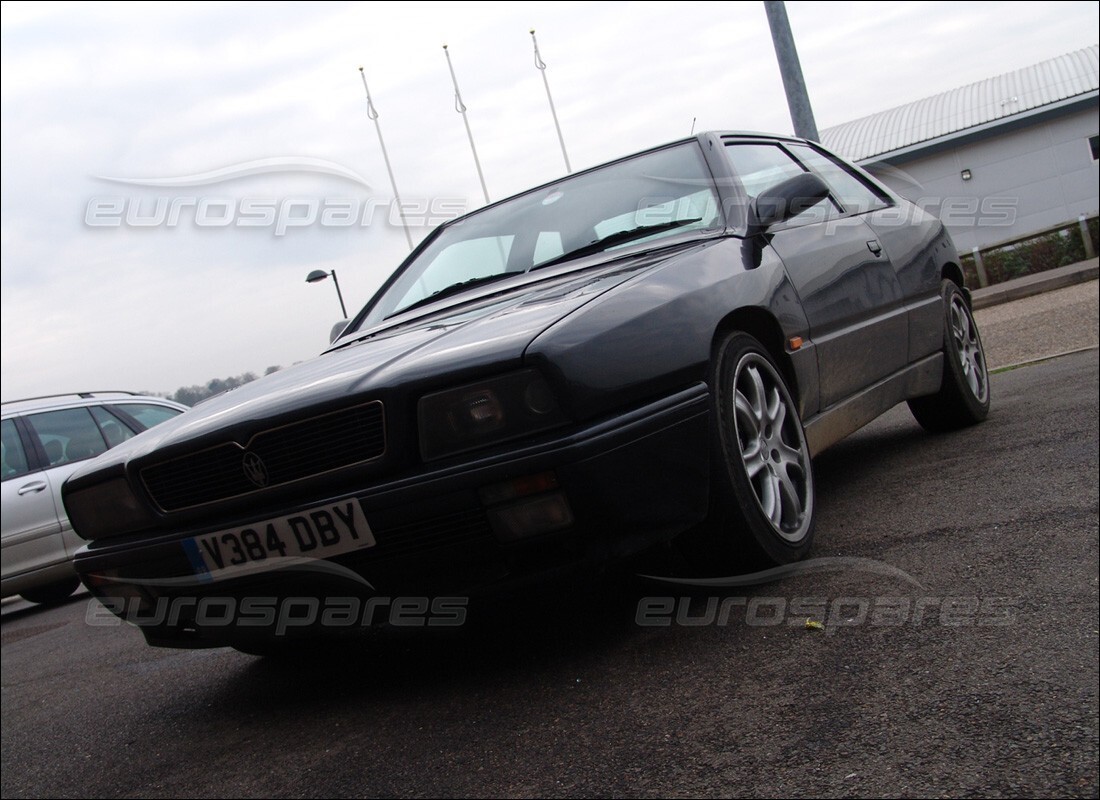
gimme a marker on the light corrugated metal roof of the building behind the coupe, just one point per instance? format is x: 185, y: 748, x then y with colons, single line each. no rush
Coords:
x: 966, y: 107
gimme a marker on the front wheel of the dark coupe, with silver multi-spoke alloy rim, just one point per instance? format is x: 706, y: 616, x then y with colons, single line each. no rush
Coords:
x: 763, y: 486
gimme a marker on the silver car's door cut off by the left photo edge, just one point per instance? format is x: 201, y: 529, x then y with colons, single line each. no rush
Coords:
x: 31, y: 532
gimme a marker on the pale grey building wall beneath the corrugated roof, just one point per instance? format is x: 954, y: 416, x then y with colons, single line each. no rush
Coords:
x: 1022, y: 181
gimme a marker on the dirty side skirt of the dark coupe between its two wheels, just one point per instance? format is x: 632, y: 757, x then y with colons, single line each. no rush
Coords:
x: 835, y: 423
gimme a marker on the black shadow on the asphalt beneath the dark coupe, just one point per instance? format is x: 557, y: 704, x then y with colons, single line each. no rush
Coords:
x: 512, y: 645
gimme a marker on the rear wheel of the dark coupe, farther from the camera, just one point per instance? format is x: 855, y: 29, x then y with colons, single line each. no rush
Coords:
x: 963, y: 399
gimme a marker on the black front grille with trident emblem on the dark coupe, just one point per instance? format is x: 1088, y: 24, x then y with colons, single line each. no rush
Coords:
x: 287, y: 454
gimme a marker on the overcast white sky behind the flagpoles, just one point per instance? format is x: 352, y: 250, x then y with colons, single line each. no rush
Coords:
x: 152, y: 91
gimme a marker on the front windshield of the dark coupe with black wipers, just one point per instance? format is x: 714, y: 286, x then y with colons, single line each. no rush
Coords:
x: 639, y: 201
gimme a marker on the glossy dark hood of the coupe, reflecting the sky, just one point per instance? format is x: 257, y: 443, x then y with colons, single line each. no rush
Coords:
x: 410, y: 353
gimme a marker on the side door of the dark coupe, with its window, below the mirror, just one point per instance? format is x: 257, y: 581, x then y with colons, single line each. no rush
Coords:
x: 844, y: 277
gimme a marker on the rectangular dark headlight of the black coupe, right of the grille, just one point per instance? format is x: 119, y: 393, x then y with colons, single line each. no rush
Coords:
x: 486, y: 413
